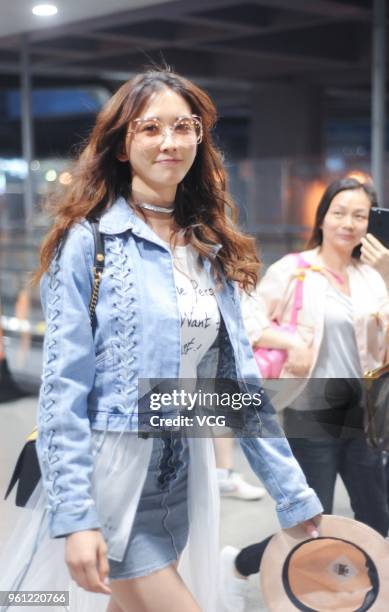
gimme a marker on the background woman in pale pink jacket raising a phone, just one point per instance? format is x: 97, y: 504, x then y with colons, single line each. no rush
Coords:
x: 341, y: 332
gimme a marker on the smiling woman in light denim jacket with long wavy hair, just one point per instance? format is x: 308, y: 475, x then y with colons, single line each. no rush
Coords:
x: 126, y: 506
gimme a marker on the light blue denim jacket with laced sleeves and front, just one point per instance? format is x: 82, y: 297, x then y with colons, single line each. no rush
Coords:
x: 90, y: 376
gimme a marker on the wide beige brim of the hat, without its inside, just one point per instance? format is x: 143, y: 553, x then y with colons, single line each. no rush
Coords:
x: 377, y: 548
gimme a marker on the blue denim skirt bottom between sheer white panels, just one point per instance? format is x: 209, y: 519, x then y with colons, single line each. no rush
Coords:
x: 160, y: 529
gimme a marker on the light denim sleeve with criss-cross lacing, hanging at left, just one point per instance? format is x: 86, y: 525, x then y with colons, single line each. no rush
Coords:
x: 68, y: 375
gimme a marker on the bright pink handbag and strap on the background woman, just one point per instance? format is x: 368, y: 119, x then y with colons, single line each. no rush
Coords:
x: 271, y: 361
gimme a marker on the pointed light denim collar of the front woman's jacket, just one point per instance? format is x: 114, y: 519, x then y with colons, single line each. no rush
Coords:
x: 120, y: 217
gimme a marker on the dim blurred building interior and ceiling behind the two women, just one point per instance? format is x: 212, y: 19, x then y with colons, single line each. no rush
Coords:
x: 292, y: 81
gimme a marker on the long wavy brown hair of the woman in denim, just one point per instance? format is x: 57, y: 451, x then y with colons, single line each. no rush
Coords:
x: 203, y: 209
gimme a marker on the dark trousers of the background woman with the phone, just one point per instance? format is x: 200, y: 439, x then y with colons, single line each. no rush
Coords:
x: 327, y: 443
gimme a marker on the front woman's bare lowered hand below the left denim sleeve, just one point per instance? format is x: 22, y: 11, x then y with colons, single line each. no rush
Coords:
x: 86, y: 558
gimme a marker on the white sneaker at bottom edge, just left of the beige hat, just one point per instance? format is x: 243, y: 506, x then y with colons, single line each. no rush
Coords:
x: 232, y: 589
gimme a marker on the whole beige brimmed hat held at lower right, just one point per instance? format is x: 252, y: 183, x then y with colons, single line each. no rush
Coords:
x: 345, y: 570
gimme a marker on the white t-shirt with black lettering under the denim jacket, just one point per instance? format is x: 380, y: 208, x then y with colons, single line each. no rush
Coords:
x: 200, y: 318
